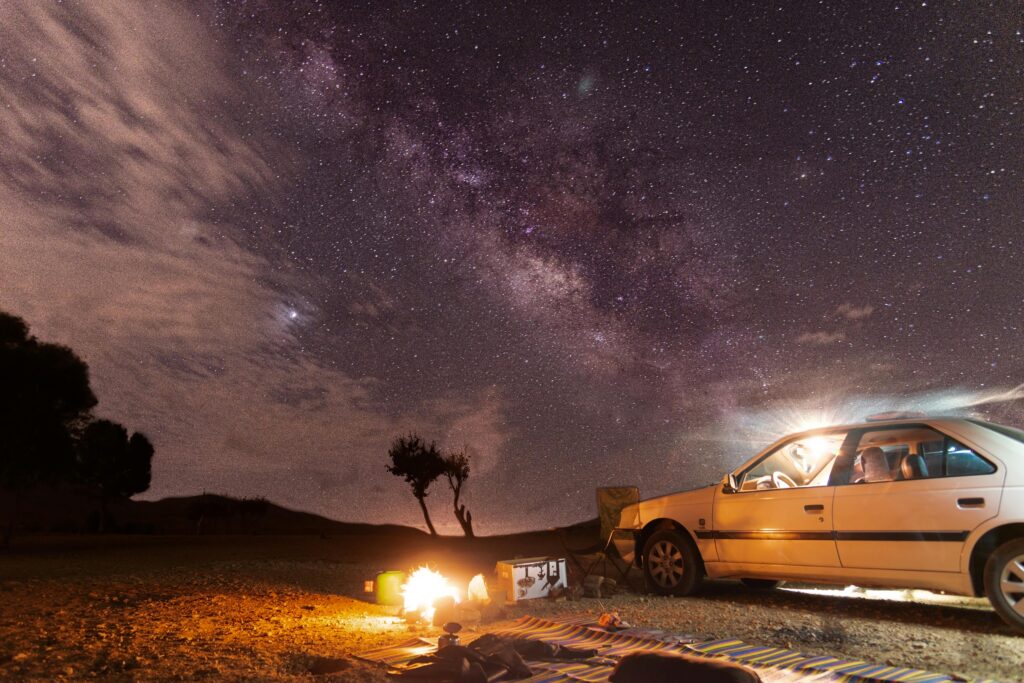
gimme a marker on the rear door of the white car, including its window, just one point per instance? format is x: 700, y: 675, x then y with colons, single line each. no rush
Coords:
x: 918, y: 516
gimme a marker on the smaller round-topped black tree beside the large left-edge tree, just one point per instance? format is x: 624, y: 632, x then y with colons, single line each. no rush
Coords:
x: 118, y: 466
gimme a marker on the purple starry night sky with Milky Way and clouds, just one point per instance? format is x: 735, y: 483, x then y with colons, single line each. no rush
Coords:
x: 592, y: 243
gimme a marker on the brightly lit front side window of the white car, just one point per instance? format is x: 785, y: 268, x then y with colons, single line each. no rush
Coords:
x: 802, y: 462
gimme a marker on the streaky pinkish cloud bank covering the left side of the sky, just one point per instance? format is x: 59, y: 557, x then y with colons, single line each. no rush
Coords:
x: 119, y: 174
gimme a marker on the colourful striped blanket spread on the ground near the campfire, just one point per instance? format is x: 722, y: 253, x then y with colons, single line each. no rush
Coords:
x: 773, y: 664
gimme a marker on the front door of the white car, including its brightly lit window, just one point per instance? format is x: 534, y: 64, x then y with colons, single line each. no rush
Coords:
x: 782, y: 510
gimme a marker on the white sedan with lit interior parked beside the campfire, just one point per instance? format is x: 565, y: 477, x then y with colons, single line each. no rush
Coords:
x: 931, y: 503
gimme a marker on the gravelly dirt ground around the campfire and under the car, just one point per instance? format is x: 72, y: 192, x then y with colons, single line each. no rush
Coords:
x: 293, y: 608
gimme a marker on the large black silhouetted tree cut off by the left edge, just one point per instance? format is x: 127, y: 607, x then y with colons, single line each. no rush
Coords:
x: 45, y: 403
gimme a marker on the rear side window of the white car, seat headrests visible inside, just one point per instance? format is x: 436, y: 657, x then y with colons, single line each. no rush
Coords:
x: 913, y: 452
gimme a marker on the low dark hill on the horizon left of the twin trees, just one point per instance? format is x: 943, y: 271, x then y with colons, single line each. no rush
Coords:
x: 70, y: 510
